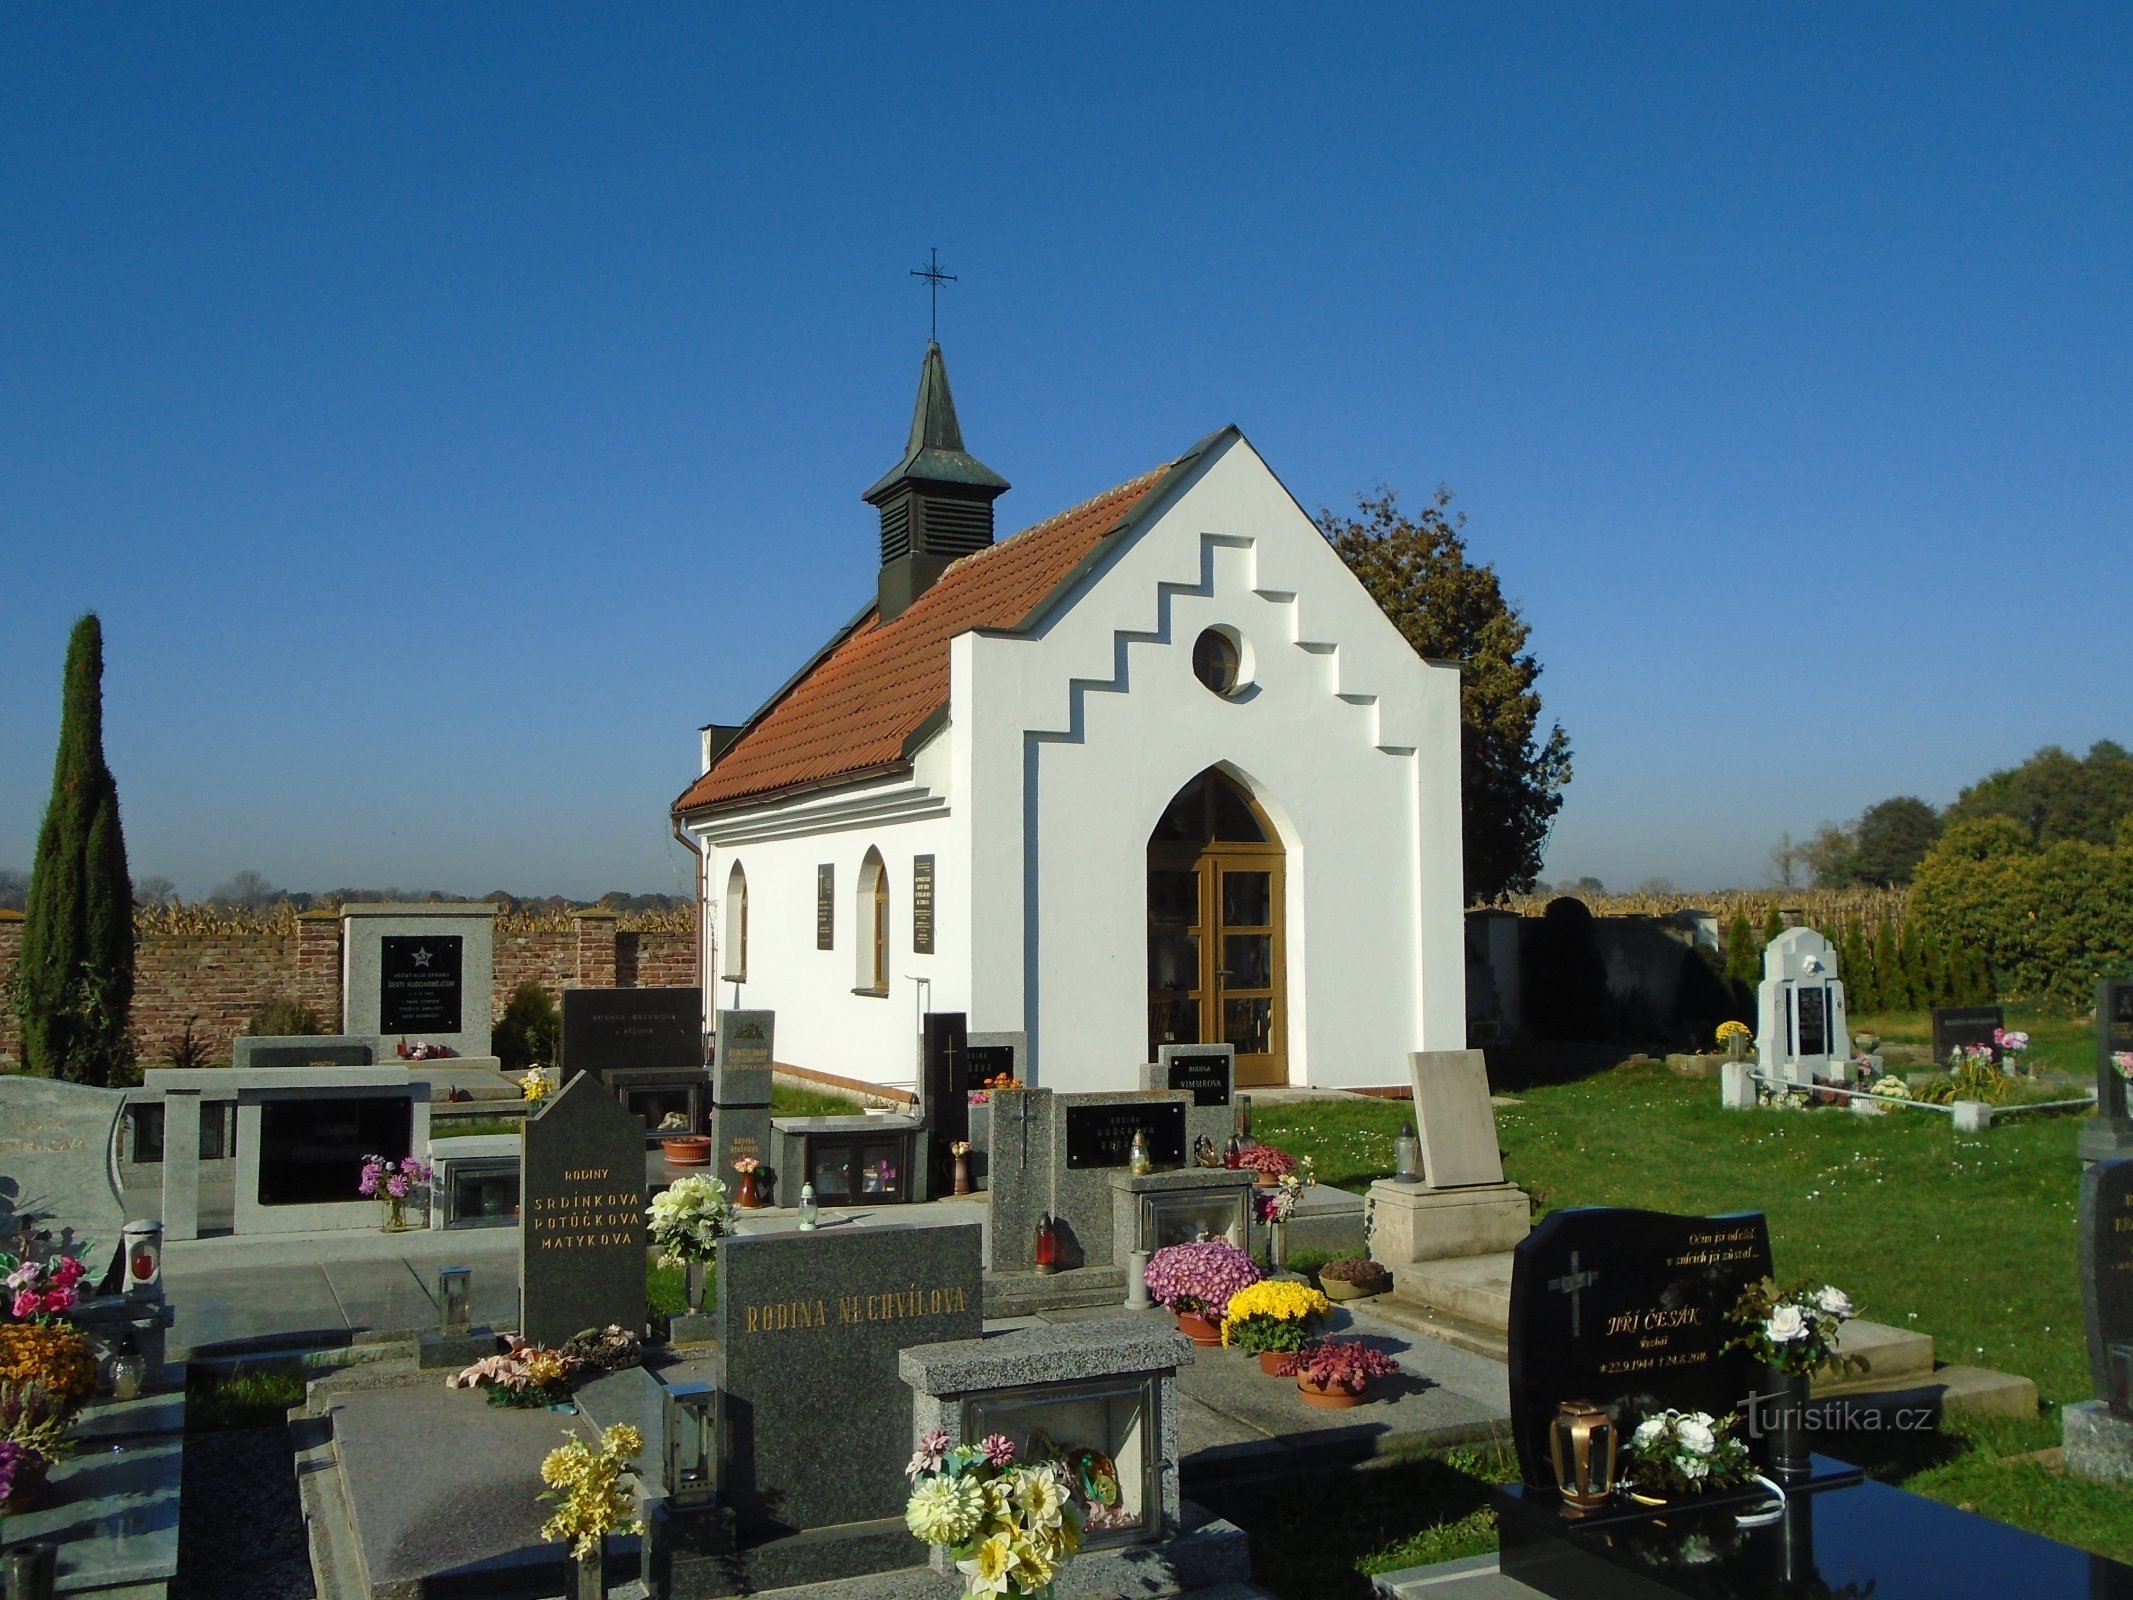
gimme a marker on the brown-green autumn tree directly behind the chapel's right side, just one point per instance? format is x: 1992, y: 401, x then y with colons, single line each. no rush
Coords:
x: 1454, y: 609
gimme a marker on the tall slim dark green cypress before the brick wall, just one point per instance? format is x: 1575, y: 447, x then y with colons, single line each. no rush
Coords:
x: 74, y: 985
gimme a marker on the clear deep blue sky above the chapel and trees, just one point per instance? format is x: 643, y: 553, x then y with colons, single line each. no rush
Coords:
x: 449, y: 409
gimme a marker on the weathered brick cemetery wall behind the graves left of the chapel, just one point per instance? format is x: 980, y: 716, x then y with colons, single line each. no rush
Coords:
x: 216, y: 967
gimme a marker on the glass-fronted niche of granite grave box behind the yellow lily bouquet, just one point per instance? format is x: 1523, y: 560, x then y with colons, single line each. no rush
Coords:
x: 1102, y: 1433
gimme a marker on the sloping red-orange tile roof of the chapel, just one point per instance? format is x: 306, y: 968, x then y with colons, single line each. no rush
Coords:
x: 878, y: 684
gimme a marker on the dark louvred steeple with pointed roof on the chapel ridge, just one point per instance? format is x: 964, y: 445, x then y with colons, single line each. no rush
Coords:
x: 937, y: 502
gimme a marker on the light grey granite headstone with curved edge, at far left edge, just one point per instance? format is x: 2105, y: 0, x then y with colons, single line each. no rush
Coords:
x: 57, y: 1166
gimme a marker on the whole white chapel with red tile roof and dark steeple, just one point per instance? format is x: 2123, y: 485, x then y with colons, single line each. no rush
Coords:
x: 1151, y: 771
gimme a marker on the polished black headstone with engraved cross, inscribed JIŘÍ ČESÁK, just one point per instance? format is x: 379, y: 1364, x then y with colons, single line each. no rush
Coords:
x: 1629, y: 1311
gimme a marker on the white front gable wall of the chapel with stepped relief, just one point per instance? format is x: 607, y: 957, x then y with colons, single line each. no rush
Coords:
x: 1072, y: 741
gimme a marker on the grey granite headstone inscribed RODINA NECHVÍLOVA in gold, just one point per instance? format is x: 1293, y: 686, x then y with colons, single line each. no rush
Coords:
x: 816, y: 1420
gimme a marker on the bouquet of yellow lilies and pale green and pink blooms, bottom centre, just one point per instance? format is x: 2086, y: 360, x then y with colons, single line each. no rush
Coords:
x: 1010, y: 1524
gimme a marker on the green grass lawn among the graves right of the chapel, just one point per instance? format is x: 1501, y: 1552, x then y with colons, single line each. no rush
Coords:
x: 1970, y: 1238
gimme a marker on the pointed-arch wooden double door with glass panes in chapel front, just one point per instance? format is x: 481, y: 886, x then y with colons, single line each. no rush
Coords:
x: 1215, y: 929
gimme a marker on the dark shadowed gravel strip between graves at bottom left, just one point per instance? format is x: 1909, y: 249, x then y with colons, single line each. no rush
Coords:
x: 242, y: 1535
